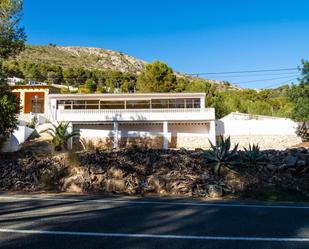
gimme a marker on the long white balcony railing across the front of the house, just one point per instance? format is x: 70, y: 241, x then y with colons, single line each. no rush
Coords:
x: 135, y: 114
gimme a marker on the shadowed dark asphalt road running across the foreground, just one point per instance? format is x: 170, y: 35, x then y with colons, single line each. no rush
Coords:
x: 66, y: 221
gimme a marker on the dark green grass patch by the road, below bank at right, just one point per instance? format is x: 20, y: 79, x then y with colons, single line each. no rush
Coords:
x: 274, y: 193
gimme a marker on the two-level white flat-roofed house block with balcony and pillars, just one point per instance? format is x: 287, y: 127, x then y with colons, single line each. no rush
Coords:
x: 160, y: 120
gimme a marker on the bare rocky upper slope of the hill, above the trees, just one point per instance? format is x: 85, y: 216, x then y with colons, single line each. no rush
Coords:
x: 86, y: 57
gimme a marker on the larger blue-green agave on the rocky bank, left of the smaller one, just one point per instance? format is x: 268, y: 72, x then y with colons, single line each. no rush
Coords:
x: 221, y: 155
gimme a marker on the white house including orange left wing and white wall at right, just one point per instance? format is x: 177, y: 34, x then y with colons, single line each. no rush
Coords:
x: 156, y: 120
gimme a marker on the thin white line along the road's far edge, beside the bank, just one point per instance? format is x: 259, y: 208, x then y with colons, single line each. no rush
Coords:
x: 172, y: 203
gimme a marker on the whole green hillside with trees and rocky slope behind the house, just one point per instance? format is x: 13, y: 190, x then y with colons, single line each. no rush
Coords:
x: 99, y: 70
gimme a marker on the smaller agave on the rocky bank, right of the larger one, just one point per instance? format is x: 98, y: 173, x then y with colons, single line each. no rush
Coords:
x: 253, y: 156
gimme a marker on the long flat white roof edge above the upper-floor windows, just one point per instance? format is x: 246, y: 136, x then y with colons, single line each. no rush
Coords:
x: 125, y: 95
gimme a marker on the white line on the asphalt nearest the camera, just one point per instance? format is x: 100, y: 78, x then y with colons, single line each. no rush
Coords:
x: 154, y: 236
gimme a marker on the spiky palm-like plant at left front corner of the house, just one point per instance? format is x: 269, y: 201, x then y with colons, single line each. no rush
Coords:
x: 60, y: 134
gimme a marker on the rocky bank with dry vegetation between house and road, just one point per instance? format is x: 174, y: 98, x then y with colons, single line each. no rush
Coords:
x: 137, y: 171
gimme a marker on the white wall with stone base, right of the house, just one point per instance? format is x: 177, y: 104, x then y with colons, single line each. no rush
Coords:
x: 271, y: 133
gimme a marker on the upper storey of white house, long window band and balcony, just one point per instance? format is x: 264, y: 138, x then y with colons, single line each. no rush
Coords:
x: 140, y: 108
